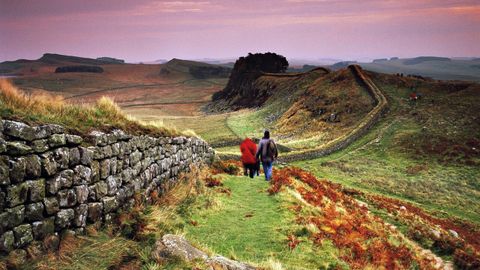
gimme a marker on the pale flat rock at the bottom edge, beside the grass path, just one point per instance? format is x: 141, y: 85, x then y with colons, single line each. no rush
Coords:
x: 176, y: 246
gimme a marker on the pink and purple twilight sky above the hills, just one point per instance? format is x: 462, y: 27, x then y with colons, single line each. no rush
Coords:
x: 147, y: 30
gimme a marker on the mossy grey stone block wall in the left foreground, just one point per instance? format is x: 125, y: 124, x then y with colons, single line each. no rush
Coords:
x: 51, y: 181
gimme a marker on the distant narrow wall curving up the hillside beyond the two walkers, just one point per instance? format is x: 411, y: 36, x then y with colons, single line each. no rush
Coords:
x: 381, y: 106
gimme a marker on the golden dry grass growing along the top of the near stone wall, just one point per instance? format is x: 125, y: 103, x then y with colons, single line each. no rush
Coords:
x: 104, y: 115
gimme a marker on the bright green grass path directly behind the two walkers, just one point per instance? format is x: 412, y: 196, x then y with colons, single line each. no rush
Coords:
x: 262, y: 238
